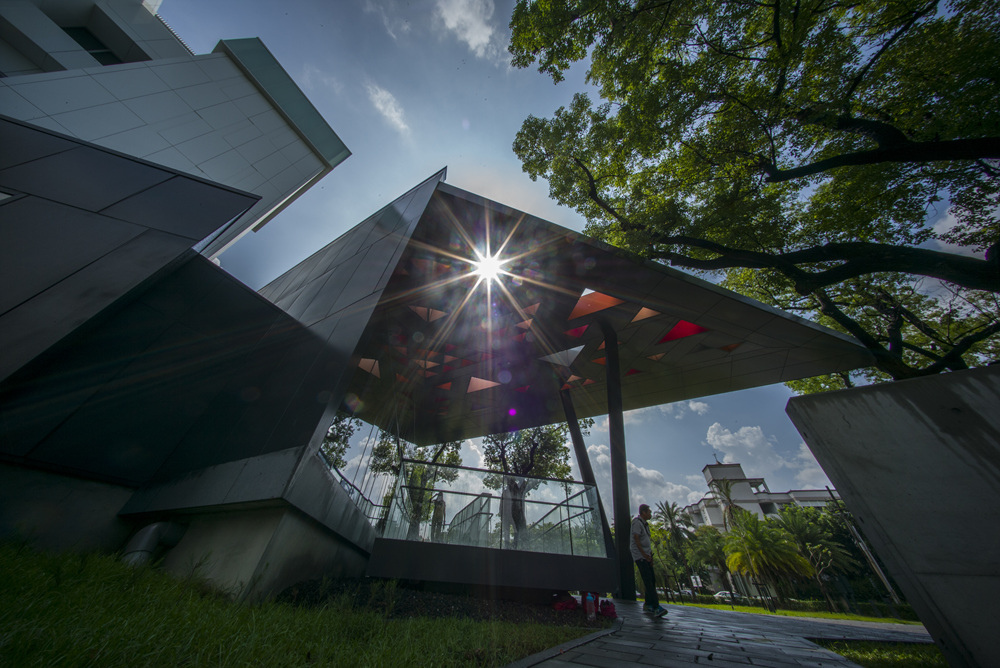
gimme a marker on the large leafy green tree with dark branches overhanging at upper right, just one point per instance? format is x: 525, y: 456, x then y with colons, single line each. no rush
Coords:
x: 800, y: 150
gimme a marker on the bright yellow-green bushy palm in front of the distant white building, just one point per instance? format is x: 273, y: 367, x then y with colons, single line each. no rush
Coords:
x: 763, y: 550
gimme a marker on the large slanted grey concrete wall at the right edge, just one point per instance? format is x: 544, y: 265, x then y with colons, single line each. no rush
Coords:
x: 918, y: 463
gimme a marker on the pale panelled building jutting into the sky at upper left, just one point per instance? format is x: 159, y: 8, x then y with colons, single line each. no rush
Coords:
x: 113, y: 73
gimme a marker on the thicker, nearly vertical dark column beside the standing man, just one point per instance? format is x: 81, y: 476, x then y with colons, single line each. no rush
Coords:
x: 619, y: 466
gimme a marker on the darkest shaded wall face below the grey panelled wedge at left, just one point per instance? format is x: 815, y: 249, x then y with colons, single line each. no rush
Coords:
x: 184, y: 377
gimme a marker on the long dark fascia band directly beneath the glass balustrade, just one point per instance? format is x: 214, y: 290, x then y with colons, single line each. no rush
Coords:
x: 460, y: 564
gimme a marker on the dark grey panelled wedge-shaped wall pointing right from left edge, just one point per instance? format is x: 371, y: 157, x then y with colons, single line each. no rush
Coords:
x: 84, y: 227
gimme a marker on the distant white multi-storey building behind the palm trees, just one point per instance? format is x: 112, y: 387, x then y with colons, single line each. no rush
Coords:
x: 751, y: 494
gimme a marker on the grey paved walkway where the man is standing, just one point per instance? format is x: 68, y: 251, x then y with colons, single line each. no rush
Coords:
x: 690, y: 636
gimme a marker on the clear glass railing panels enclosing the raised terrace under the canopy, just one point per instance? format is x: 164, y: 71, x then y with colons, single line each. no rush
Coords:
x: 458, y: 505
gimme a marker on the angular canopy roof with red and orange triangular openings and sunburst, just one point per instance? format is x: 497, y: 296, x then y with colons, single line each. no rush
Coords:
x: 679, y: 337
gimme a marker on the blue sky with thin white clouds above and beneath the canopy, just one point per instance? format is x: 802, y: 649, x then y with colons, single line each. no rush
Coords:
x: 411, y: 87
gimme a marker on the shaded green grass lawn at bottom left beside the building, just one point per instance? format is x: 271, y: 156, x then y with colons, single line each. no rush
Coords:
x: 90, y: 610
